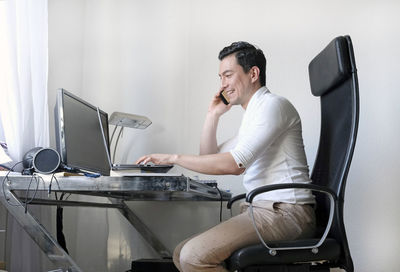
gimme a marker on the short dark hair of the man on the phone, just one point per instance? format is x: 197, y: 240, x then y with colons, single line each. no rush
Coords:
x: 247, y: 56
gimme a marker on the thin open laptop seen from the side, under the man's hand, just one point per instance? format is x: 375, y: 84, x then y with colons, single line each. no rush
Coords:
x: 153, y: 168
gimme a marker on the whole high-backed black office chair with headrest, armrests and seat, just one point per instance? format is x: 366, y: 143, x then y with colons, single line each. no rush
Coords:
x: 333, y: 77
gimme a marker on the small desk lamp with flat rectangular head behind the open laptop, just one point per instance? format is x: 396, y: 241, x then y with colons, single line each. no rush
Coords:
x: 122, y: 120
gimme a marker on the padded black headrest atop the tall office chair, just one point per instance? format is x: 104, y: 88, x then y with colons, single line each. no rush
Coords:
x: 330, y: 67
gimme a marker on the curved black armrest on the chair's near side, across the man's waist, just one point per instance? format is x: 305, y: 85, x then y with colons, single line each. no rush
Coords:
x: 274, y: 187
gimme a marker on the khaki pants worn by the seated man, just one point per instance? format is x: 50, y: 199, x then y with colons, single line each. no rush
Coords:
x: 275, y: 221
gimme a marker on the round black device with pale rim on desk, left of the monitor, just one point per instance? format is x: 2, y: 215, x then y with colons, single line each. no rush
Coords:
x: 41, y: 160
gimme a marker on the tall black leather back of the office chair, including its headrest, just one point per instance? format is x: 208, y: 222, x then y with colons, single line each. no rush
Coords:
x: 333, y: 77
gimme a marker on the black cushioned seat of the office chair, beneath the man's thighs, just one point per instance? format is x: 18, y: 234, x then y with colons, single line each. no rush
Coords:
x: 259, y: 255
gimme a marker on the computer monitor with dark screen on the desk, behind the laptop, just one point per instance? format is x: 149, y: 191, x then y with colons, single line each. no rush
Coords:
x: 78, y: 134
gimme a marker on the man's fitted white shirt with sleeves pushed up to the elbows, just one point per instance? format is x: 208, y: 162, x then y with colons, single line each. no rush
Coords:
x: 270, y: 146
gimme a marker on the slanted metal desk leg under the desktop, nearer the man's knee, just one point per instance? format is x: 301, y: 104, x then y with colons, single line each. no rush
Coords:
x: 142, y: 228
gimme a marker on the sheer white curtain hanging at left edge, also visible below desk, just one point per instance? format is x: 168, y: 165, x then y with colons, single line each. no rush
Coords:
x: 23, y: 103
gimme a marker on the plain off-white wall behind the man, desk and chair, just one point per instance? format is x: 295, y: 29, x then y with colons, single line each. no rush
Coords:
x: 159, y: 59
